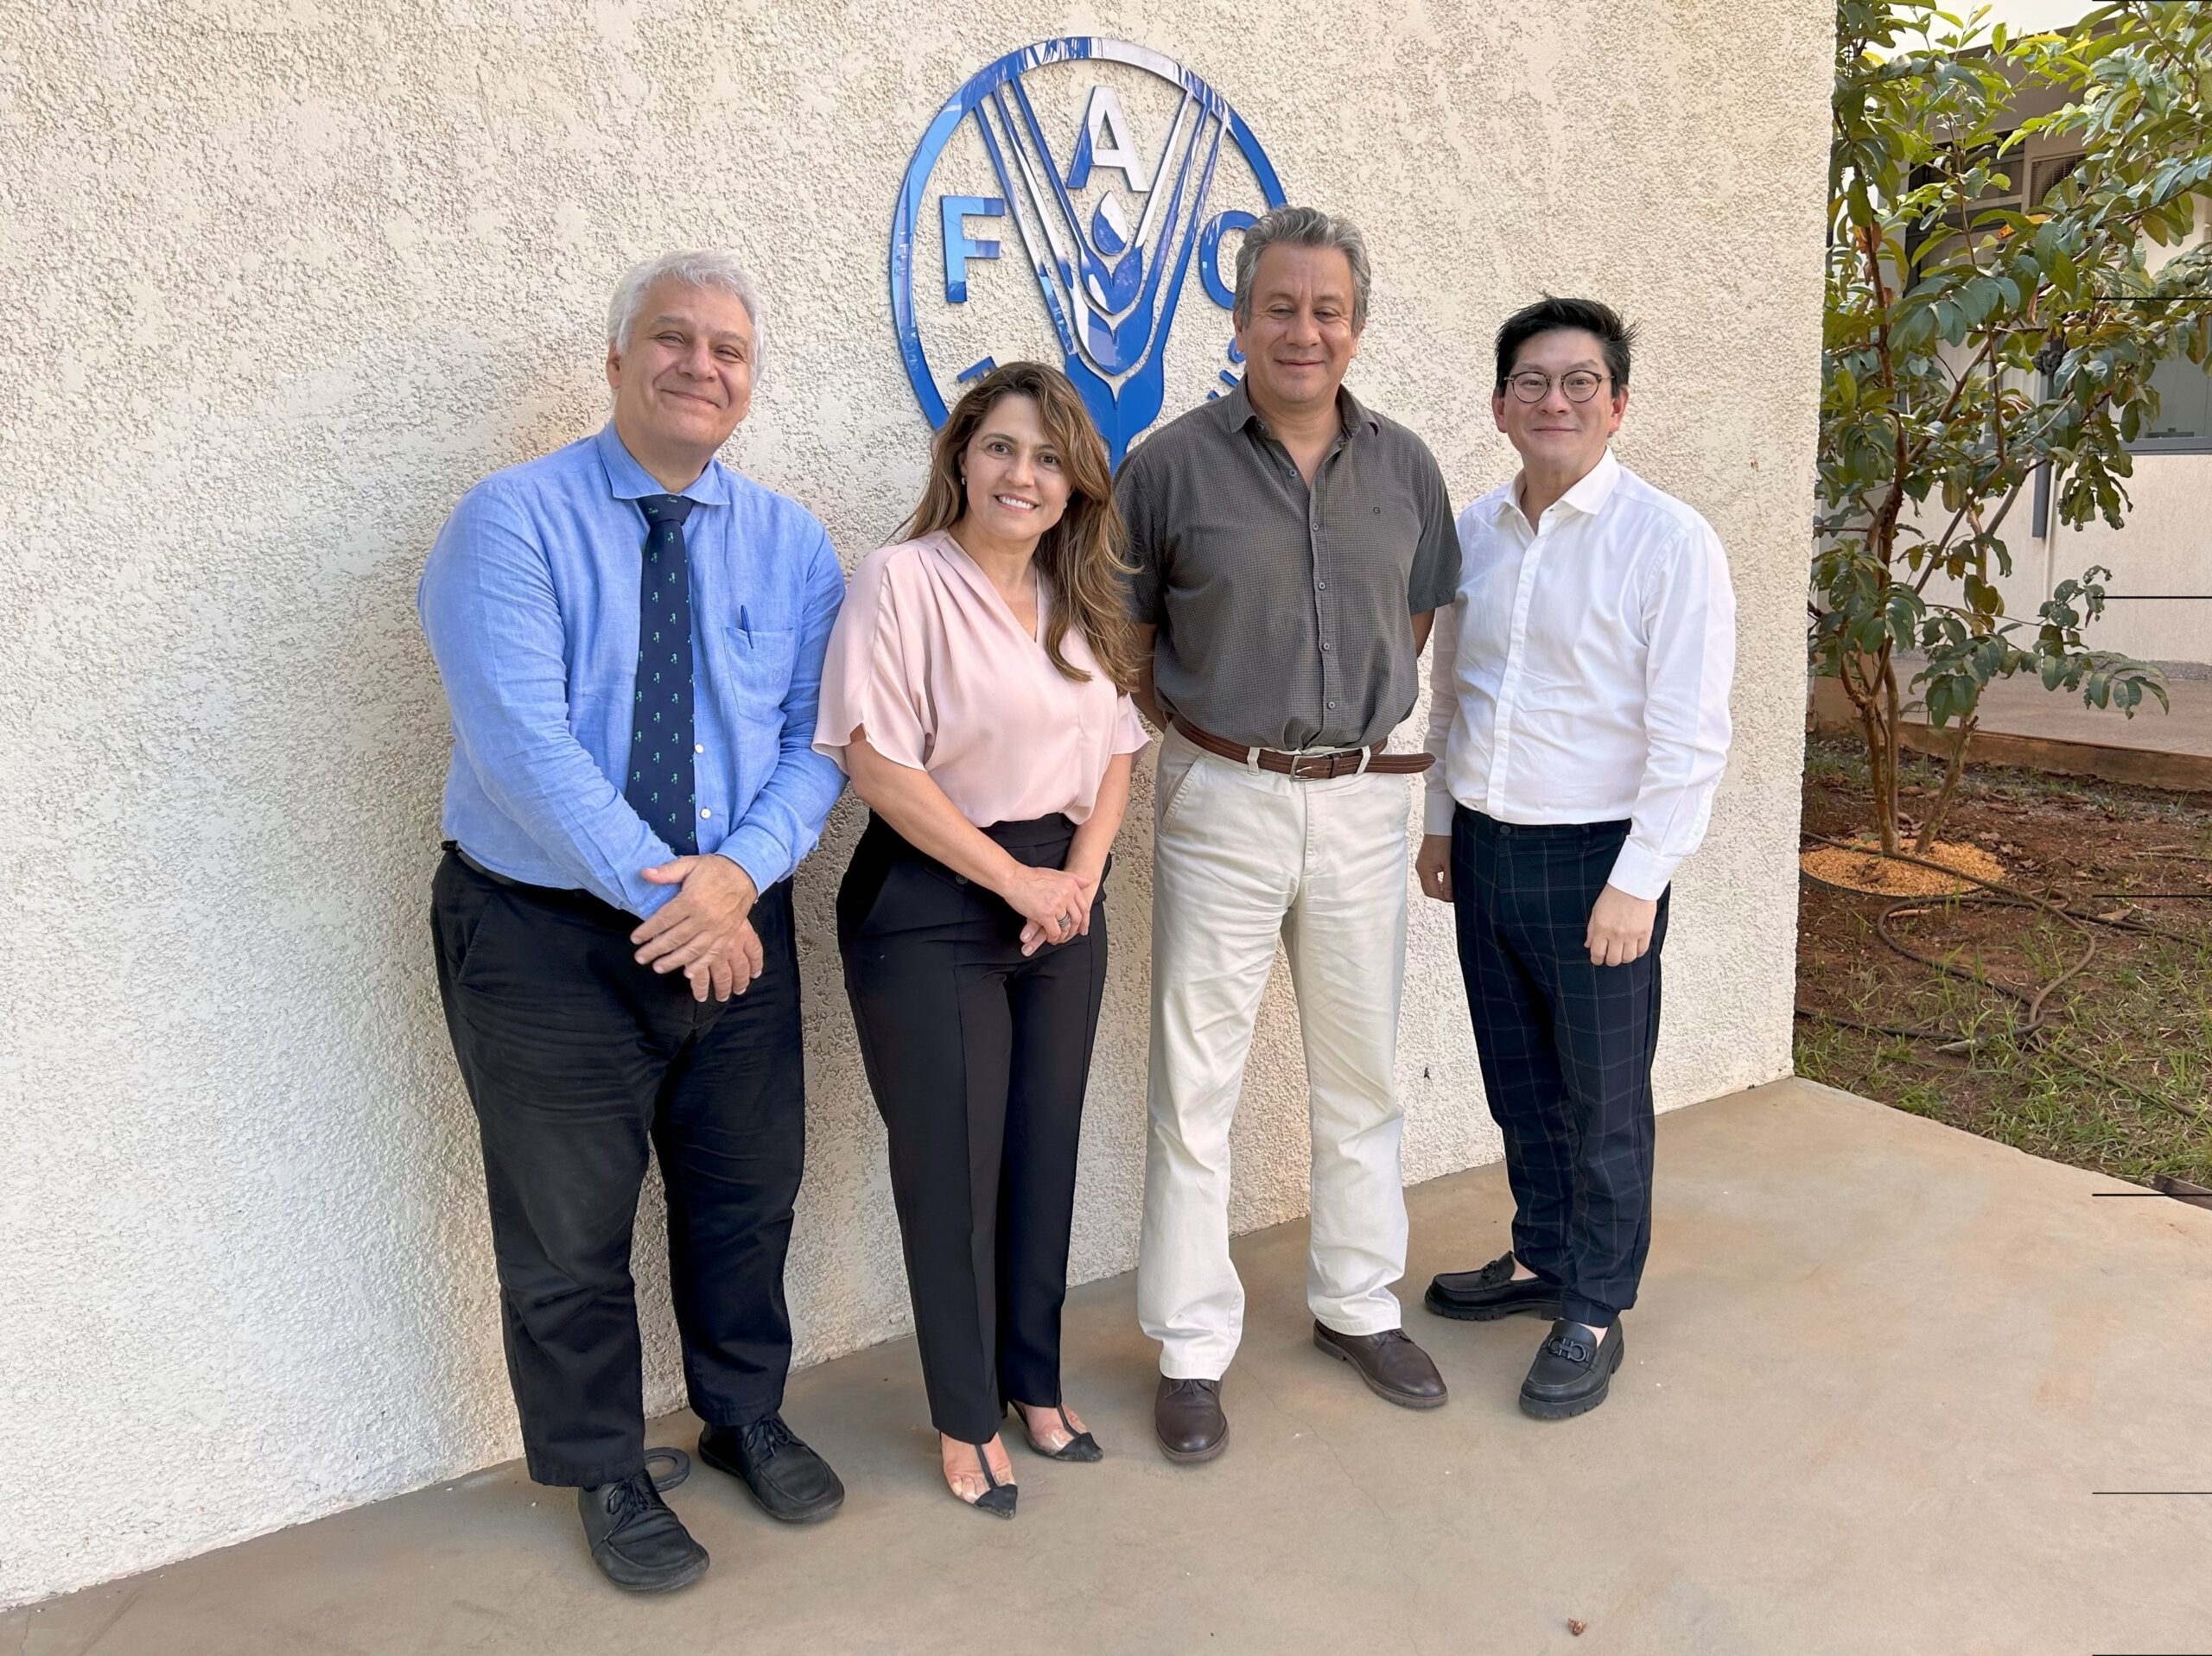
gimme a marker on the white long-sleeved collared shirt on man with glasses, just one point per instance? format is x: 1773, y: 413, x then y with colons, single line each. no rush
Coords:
x: 1583, y: 671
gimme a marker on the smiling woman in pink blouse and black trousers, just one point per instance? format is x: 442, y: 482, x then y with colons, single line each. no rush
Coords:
x: 977, y: 693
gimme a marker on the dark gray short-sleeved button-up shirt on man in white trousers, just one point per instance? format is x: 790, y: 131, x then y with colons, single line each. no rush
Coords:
x: 1284, y: 609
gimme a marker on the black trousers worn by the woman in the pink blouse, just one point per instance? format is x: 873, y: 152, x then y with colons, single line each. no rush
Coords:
x: 979, y: 1062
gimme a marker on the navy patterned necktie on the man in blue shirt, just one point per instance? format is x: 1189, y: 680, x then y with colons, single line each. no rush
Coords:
x: 662, y: 784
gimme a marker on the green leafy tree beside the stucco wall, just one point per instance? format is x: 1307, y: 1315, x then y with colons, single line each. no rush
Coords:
x: 1972, y: 344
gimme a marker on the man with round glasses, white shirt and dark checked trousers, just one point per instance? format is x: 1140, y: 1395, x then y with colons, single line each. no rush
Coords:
x: 1580, y: 724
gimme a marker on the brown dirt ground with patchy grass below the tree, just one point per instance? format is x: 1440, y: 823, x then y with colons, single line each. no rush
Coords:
x: 2114, y: 1067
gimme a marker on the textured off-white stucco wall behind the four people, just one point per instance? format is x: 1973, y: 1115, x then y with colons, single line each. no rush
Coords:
x: 284, y: 277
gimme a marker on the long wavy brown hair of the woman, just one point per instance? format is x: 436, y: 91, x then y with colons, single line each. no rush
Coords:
x: 1081, y: 556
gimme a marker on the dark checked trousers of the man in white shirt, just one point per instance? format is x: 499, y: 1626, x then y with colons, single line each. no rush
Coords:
x: 1567, y: 1051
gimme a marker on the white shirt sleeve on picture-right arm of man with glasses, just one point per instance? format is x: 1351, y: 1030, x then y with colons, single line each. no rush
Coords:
x: 1691, y: 662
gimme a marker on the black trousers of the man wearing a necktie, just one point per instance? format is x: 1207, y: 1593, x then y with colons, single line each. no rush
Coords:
x: 576, y: 1058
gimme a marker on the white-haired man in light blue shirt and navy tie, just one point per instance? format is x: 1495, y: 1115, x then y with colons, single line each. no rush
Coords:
x: 632, y: 642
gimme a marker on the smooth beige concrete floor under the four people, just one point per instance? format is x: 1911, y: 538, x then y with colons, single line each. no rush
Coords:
x: 1879, y: 1374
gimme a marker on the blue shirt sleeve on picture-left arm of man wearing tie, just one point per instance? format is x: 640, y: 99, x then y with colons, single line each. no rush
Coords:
x: 494, y: 627
